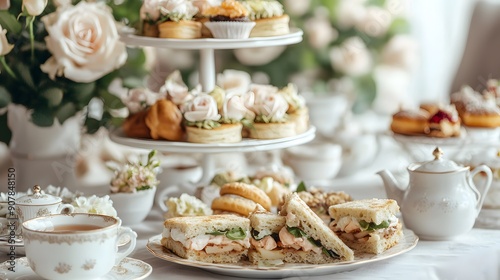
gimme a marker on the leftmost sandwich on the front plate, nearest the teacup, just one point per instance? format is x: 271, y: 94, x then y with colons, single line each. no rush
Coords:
x: 212, y: 239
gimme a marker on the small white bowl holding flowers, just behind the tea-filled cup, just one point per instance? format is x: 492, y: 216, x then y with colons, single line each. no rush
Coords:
x: 133, y: 208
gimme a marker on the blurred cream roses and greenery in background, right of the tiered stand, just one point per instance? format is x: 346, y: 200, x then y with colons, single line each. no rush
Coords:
x: 356, y: 47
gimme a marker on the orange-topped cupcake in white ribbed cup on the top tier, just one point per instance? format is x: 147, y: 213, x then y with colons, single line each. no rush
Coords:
x: 229, y: 20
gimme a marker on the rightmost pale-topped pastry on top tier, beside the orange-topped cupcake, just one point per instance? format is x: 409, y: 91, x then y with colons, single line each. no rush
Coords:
x: 269, y: 18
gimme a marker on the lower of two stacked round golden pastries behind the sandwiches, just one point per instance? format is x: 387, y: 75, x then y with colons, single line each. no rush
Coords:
x: 234, y: 204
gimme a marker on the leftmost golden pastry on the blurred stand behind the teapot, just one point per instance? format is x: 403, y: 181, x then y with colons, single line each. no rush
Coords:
x: 410, y: 122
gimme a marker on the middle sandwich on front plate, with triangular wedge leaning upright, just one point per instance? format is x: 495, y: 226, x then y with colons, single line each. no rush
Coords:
x: 297, y: 235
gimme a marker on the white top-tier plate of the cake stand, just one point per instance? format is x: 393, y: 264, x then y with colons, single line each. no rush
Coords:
x: 295, y: 36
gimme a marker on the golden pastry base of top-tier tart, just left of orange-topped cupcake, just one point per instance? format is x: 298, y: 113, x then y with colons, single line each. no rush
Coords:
x: 183, y: 29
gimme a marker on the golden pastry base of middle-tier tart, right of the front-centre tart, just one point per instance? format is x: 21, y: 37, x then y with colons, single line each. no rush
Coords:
x: 272, y: 130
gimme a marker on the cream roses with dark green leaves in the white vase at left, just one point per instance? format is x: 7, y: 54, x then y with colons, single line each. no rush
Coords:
x: 57, y: 57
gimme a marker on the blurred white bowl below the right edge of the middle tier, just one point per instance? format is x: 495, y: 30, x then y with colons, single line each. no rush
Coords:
x: 317, y: 161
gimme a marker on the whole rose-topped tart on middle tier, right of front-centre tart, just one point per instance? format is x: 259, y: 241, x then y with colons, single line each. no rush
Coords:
x: 270, y: 113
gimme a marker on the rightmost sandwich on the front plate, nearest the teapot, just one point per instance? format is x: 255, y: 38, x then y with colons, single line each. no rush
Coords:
x: 368, y: 225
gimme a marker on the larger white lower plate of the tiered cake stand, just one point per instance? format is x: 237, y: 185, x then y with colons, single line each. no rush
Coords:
x: 246, y: 145
